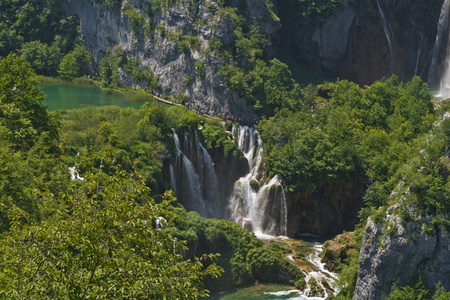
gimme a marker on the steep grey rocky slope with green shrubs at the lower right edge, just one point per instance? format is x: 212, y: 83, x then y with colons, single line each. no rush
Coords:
x: 412, y: 236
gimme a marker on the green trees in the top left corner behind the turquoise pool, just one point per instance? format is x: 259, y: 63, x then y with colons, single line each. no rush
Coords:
x: 40, y: 32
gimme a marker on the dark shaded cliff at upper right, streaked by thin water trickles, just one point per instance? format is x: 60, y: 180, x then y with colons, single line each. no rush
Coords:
x: 365, y: 40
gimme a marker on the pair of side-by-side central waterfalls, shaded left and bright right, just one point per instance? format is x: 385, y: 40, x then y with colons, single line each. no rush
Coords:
x: 256, y: 203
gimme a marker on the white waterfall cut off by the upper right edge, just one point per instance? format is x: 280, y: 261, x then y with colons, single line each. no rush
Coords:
x: 439, y: 75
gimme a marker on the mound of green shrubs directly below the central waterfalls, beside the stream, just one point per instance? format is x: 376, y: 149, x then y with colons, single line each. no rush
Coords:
x: 241, y: 254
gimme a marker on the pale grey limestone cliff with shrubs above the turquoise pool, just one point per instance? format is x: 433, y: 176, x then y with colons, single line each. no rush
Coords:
x: 172, y: 43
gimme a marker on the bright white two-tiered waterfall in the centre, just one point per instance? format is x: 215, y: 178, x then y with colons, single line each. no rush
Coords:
x: 257, y: 205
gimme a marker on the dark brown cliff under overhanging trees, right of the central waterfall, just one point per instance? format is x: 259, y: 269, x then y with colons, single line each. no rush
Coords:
x: 330, y: 209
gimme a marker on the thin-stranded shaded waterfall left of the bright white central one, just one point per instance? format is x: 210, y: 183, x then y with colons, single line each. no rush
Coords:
x: 195, y: 186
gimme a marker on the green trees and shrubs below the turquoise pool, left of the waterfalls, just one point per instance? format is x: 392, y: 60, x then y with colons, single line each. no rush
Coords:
x: 100, y: 236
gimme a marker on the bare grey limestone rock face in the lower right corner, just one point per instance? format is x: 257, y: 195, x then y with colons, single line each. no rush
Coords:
x: 391, y: 253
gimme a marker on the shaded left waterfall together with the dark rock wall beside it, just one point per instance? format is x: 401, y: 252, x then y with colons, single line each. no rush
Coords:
x: 196, y: 176
